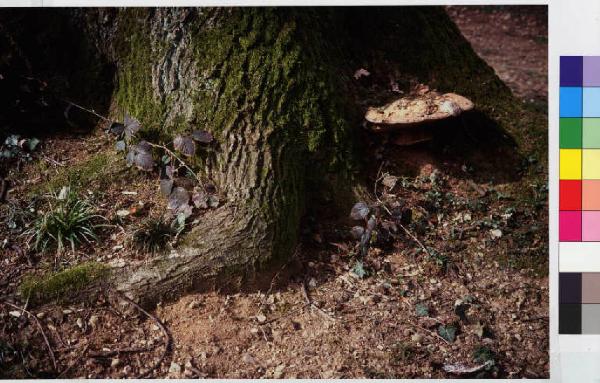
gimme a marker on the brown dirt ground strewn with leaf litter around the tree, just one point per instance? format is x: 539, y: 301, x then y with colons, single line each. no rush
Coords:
x: 463, y: 293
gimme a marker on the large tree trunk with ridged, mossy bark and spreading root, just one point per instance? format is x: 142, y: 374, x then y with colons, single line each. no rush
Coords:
x: 275, y: 88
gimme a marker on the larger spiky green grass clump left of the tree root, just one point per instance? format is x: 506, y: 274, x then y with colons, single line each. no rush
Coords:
x: 69, y: 220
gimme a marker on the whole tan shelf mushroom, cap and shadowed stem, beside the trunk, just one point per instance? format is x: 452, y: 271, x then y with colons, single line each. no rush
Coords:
x: 413, y: 119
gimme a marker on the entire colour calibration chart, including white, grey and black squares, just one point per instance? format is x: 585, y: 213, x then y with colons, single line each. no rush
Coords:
x: 579, y: 199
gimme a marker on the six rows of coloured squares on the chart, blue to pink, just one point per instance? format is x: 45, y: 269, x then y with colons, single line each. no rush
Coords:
x: 579, y: 125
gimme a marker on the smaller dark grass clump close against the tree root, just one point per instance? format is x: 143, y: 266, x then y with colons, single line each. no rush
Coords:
x: 154, y: 233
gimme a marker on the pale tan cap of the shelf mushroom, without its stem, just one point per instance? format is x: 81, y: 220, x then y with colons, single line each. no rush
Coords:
x: 416, y: 110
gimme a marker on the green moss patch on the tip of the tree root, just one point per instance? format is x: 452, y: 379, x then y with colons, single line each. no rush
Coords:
x: 63, y: 283
